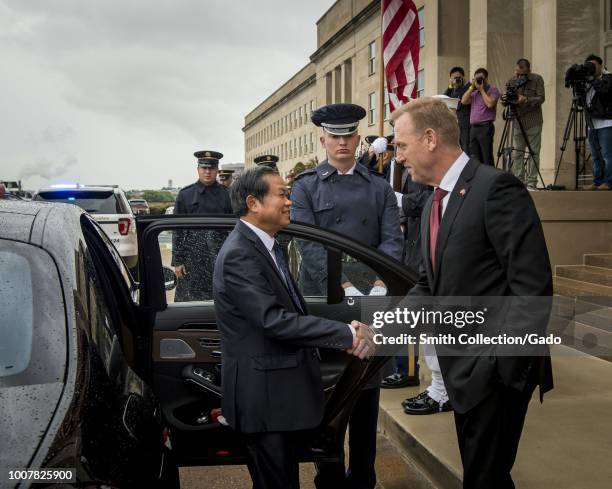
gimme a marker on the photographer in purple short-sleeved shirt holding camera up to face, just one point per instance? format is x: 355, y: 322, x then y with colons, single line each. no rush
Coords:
x: 482, y: 98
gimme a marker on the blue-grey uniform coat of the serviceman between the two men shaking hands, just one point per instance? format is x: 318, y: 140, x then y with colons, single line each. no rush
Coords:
x: 362, y: 206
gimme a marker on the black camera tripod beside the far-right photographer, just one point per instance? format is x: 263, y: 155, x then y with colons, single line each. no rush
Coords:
x: 578, y: 122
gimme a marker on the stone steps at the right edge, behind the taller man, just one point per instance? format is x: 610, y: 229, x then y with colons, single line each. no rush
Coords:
x: 582, y: 311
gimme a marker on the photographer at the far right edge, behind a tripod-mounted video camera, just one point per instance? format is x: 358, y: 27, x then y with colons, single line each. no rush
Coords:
x: 599, y: 107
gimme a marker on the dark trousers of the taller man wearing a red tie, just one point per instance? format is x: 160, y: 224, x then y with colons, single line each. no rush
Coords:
x: 489, y: 436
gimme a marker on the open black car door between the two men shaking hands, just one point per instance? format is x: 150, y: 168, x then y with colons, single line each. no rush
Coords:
x: 185, y: 354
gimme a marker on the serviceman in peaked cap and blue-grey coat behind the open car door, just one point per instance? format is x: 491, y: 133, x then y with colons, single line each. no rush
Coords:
x: 345, y: 196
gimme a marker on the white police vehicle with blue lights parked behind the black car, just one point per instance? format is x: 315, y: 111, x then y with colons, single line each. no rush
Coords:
x: 108, y: 205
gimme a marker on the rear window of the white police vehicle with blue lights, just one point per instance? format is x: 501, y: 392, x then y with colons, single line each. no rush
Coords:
x: 93, y: 201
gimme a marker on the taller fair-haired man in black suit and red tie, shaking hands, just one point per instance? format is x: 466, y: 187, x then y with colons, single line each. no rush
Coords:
x: 481, y: 237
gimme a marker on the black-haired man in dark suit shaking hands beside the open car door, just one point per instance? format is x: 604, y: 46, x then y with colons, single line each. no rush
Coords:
x: 272, y: 387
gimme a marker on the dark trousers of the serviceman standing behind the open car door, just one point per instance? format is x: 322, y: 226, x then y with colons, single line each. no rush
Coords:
x: 362, y: 449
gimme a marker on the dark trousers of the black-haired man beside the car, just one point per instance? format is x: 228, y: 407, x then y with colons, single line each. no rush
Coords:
x: 272, y: 459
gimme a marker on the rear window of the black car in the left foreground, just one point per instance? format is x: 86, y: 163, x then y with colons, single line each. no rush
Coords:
x: 32, y: 317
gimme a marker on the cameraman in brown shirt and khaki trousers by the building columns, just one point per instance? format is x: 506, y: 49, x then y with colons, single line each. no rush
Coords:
x: 526, y: 94
